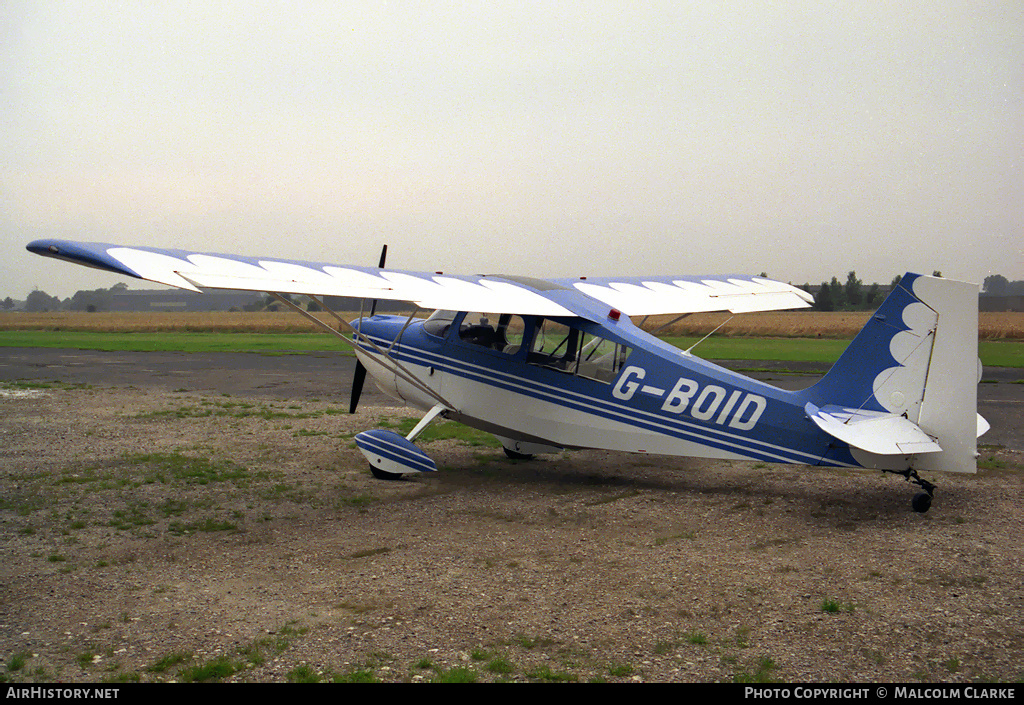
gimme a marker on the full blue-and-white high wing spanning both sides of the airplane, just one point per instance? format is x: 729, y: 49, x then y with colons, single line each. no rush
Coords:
x: 633, y: 297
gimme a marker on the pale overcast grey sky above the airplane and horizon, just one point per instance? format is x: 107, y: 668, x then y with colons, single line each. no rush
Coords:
x: 800, y: 139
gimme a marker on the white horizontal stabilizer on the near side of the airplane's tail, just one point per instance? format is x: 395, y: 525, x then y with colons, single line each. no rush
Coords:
x: 875, y: 432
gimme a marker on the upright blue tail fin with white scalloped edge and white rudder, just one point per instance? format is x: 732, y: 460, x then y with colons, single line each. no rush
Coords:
x: 917, y: 358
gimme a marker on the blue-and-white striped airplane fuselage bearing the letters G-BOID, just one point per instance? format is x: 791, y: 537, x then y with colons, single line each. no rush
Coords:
x: 656, y: 400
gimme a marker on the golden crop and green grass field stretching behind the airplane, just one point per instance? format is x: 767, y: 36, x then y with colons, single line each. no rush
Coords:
x: 807, y: 337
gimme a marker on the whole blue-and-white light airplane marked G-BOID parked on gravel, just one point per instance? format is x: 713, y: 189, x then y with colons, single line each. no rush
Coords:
x: 560, y: 364
